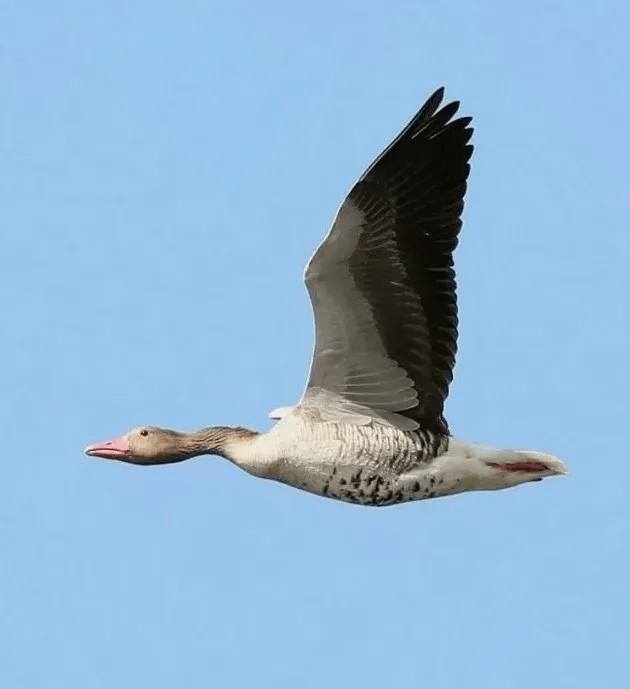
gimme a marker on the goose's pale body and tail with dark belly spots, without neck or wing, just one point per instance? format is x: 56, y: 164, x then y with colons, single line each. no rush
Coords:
x: 380, y: 465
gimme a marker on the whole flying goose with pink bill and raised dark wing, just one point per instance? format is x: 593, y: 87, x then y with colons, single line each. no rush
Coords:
x: 370, y: 427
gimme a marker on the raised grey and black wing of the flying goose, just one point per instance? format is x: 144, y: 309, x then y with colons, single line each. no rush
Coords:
x: 382, y: 282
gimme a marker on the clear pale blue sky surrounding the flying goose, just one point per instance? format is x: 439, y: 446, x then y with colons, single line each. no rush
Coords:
x: 166, y: 169
